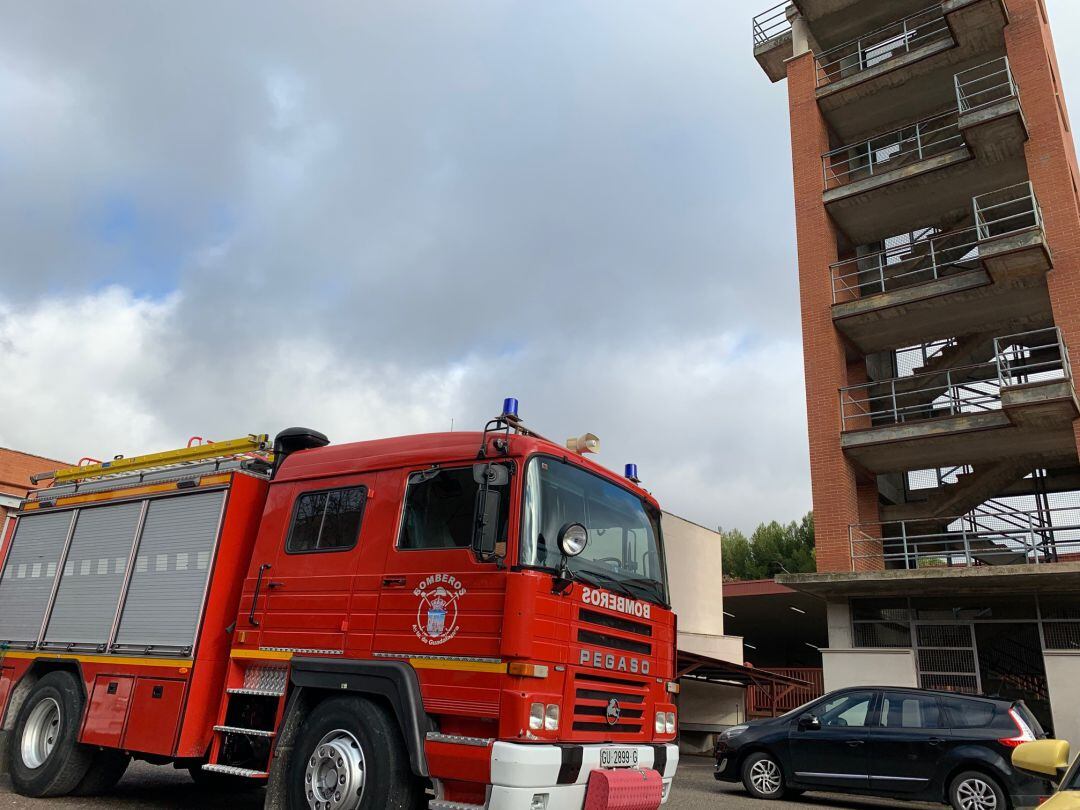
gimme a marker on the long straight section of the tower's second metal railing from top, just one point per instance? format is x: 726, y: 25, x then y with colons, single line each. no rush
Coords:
x: 927, y: 139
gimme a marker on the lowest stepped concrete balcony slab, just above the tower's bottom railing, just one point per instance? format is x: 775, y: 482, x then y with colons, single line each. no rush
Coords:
x: 1035, y: 420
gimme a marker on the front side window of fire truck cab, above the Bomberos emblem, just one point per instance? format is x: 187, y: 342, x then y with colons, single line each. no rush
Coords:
x: 440, y: 510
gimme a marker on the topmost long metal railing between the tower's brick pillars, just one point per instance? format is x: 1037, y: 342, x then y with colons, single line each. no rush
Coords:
x: 873, y: 49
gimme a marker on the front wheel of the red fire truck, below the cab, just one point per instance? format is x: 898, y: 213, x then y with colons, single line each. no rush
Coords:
x: 349, y: 755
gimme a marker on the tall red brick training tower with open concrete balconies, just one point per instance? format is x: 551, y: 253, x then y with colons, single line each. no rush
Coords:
x: 938, y: 214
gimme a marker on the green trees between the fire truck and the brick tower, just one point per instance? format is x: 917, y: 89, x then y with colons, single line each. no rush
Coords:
x: 773, y: 549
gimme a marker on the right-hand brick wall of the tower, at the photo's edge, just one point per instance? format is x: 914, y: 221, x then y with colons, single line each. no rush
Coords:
x: 1051, y: 161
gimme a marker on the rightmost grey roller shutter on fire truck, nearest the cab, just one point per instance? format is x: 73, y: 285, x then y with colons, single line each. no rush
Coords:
x: 173, y: 563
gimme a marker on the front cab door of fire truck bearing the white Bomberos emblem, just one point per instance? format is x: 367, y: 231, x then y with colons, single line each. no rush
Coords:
x: 439, y: 600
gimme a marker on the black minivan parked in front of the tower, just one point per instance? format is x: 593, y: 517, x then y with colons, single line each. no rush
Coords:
x: 886, y: 741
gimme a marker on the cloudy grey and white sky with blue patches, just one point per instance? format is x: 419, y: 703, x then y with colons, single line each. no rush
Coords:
x: 379, y: 218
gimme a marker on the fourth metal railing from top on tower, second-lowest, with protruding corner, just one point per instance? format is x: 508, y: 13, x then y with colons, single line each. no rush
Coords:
x: 1031, y: 357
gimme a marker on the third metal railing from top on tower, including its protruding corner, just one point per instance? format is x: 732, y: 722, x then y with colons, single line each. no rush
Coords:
x: 1002, y: 213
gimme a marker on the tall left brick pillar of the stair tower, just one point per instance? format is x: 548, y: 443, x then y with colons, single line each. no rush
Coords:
x: 838, y: 490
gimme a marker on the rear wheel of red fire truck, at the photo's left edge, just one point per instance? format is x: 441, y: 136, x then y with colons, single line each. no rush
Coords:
x: 46, y: 759
